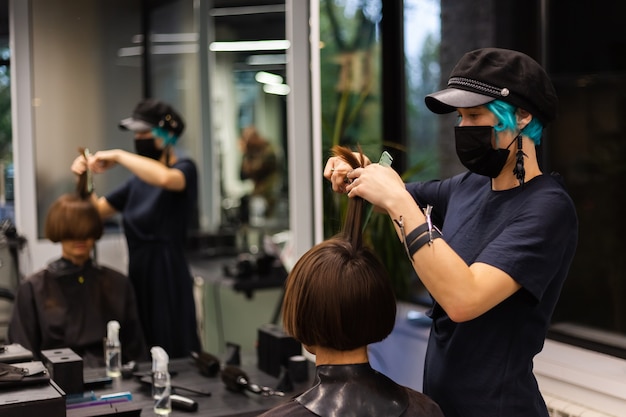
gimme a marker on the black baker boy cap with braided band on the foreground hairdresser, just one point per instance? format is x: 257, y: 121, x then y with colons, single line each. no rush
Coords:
x: 486, y: 74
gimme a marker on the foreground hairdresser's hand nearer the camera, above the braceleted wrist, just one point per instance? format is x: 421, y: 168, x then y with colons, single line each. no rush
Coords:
x: 378, y: 184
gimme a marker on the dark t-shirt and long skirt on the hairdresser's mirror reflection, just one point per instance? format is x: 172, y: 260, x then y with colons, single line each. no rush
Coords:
x: 155, y: 225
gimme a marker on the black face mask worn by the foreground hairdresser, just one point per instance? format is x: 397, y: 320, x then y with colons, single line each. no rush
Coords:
x: 473, y: 147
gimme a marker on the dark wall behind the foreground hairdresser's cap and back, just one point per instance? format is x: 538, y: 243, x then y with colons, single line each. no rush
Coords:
x: 582, y: 45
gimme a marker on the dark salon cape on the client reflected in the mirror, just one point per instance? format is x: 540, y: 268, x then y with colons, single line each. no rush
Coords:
x: 66, y: 306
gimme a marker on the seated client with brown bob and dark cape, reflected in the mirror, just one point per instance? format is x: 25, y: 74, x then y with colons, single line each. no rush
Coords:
x: 68, y: 303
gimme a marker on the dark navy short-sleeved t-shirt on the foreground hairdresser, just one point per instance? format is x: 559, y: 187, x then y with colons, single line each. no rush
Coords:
x: 483, y: 367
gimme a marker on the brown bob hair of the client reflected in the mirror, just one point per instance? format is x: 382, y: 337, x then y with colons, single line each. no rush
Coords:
x: 72, y: 217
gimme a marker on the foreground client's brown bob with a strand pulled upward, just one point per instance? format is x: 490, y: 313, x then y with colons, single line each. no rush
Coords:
x: 339, y: 294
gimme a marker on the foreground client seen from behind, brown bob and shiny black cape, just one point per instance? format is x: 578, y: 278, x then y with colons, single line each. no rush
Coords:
x: 339, y: 299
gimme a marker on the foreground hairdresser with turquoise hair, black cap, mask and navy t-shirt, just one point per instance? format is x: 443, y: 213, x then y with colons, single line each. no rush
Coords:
x: 509, y: 235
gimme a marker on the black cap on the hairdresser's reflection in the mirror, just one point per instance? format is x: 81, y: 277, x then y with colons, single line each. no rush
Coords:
x: 150, y: 113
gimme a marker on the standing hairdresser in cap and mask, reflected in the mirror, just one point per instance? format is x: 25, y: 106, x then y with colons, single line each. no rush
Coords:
x: 155, y: 202
